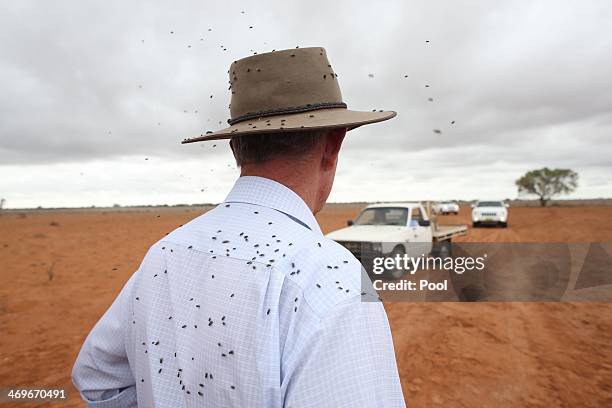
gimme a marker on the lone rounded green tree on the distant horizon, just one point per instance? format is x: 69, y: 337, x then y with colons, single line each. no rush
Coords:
x: 546, y: 183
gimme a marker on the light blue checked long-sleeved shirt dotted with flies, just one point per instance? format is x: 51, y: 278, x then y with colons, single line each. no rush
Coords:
x: 248, y: 305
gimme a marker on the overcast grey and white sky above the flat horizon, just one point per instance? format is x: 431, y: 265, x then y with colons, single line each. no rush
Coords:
x: 96, y: 96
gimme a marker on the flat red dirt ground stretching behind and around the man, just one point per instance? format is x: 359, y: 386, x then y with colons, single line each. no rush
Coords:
x: 449, y: 354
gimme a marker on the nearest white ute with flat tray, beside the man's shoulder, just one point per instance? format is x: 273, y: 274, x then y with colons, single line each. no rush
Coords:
x: 389, y: 229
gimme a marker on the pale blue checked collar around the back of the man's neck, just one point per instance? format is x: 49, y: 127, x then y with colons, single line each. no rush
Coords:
x: 269, y: 193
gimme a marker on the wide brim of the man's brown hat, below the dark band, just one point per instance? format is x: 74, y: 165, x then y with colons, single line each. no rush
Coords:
x: 312, y: 120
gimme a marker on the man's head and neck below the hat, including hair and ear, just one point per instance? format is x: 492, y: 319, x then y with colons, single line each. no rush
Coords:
x: 303, y: 161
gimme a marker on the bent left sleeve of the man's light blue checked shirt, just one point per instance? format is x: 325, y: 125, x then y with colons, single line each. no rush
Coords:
x: 102, y: 372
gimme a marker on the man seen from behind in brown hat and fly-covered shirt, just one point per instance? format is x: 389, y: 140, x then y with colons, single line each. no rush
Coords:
x: 249, y: 305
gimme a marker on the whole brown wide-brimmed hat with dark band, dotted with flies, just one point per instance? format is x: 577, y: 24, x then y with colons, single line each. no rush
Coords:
x: 287, y: 91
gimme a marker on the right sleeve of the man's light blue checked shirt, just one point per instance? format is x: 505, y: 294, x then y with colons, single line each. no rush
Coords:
x: 349, y: 363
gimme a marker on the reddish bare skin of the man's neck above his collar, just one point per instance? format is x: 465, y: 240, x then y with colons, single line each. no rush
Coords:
x: 301, y: 181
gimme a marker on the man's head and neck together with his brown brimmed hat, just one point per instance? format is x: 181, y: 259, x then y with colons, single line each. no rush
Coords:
x: 288, y: 120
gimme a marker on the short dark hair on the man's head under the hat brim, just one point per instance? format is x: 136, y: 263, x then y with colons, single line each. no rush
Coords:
x: 258, y: 148
